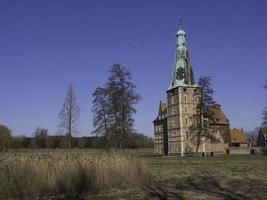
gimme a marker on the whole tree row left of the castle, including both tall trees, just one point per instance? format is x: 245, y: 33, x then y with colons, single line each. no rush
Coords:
x: 113, y: 107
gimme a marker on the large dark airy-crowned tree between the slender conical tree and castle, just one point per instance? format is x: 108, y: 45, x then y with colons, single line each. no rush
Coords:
x: 113, y: 105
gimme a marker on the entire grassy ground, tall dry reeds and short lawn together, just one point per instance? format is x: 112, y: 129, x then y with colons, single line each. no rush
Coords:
x: 132, y: 174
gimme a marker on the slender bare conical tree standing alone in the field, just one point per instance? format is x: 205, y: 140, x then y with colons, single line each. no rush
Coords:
x: 69, y: 116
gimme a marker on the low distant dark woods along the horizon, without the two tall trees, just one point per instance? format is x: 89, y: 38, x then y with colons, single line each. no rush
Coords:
x: 41, y: 139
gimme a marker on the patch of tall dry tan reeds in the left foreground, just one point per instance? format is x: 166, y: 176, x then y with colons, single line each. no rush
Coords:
x: 41, y: 173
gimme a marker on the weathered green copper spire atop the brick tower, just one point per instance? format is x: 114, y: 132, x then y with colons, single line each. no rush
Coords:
x: 182, y: 69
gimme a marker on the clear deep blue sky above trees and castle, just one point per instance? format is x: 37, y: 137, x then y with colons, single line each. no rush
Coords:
x: 46, y: 45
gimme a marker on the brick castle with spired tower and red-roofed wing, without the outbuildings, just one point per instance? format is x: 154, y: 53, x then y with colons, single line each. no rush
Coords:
x: 173, y: 135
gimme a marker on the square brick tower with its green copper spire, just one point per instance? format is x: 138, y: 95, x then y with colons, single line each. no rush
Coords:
x: 181, y: 99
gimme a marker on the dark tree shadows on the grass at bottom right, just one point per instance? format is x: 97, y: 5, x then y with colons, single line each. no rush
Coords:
x: 195, y: 186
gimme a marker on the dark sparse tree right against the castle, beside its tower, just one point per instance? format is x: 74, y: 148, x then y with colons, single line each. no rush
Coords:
x: 201, y: 126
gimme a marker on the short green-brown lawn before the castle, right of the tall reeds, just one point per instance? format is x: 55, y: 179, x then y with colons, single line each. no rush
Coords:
x: 218, y: 177
